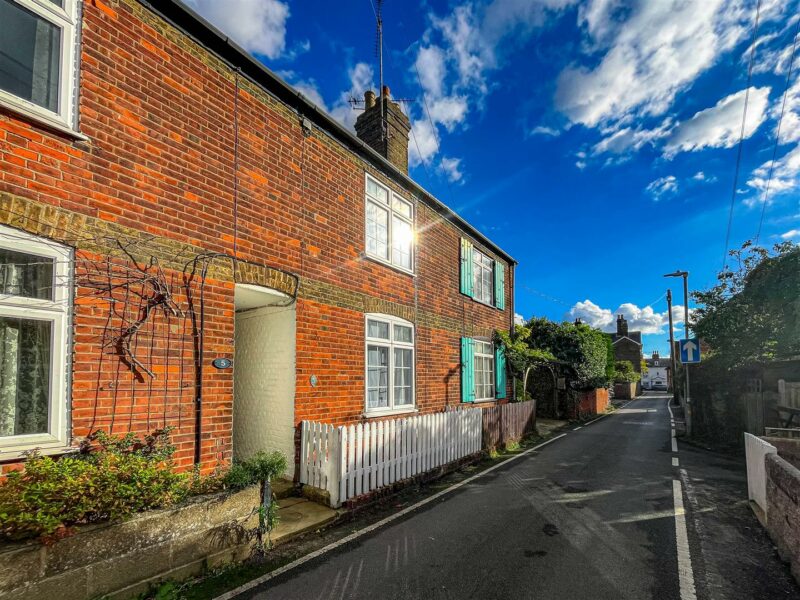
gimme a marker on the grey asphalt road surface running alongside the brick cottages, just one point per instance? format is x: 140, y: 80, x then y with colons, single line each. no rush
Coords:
x: 590, y: 515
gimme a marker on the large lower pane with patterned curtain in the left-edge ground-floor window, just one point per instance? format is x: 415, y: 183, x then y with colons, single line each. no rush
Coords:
x: 24, y: 376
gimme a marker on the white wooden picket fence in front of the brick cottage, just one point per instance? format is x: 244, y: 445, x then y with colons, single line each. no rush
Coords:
x: 349, y: 461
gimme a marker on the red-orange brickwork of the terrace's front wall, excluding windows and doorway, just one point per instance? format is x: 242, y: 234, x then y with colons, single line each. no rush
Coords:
x: 185, y: 163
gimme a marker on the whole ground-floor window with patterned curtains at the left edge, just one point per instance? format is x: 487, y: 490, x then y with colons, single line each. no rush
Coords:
x: 34, y: 314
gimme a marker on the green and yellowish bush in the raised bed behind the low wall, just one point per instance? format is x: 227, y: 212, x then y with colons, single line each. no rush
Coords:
x: 110, y: 478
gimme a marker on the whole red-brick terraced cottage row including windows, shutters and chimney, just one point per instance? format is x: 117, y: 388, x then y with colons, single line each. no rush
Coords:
x: 187, y: 241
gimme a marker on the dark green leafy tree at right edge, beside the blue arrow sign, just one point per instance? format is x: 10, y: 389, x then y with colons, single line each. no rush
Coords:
x: 752, y: 314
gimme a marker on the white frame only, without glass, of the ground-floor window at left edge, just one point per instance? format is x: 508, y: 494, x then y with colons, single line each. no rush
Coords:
x: 58, y: 312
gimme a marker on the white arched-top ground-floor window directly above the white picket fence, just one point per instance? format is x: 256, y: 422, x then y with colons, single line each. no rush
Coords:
x: 390, y: 365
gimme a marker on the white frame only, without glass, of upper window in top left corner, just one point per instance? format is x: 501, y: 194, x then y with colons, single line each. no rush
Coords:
x: 67, y: 20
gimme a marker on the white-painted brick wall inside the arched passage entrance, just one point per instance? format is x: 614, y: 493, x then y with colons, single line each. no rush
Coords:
x: 264, y: 381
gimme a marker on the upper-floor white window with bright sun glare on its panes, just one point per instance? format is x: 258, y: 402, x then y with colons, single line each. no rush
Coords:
x: 389, y: 226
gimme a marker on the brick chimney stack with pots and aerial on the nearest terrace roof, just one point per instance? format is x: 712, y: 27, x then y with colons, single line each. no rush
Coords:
x: 394, y: 145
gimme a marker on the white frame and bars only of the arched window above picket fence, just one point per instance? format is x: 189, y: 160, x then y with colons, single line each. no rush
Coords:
x: 390, y: 344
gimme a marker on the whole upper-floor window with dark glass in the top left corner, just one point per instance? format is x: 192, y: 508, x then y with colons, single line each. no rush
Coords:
x: 37, y: 58
